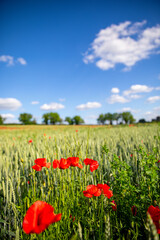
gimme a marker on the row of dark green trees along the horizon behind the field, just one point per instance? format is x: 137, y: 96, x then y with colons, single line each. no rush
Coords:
x: 54, y: 118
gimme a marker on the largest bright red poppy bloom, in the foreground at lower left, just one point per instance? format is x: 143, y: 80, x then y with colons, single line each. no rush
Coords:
x: 38, y: 217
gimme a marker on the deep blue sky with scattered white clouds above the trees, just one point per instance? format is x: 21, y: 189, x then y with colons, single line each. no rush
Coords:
x: 83, y: 57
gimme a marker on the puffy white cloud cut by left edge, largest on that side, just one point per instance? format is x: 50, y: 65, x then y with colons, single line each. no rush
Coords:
x: 9, y: 103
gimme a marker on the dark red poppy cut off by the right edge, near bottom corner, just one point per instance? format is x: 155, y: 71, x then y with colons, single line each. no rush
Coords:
x: 155, y: 215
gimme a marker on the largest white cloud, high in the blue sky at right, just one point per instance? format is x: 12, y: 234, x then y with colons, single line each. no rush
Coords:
x: 126, y: 43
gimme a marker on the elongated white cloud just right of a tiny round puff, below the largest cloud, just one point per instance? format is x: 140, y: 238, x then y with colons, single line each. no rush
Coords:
x: 138, y: 89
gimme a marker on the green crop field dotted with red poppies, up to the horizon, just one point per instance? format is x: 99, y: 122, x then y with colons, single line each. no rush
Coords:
x: 108, y: 198
